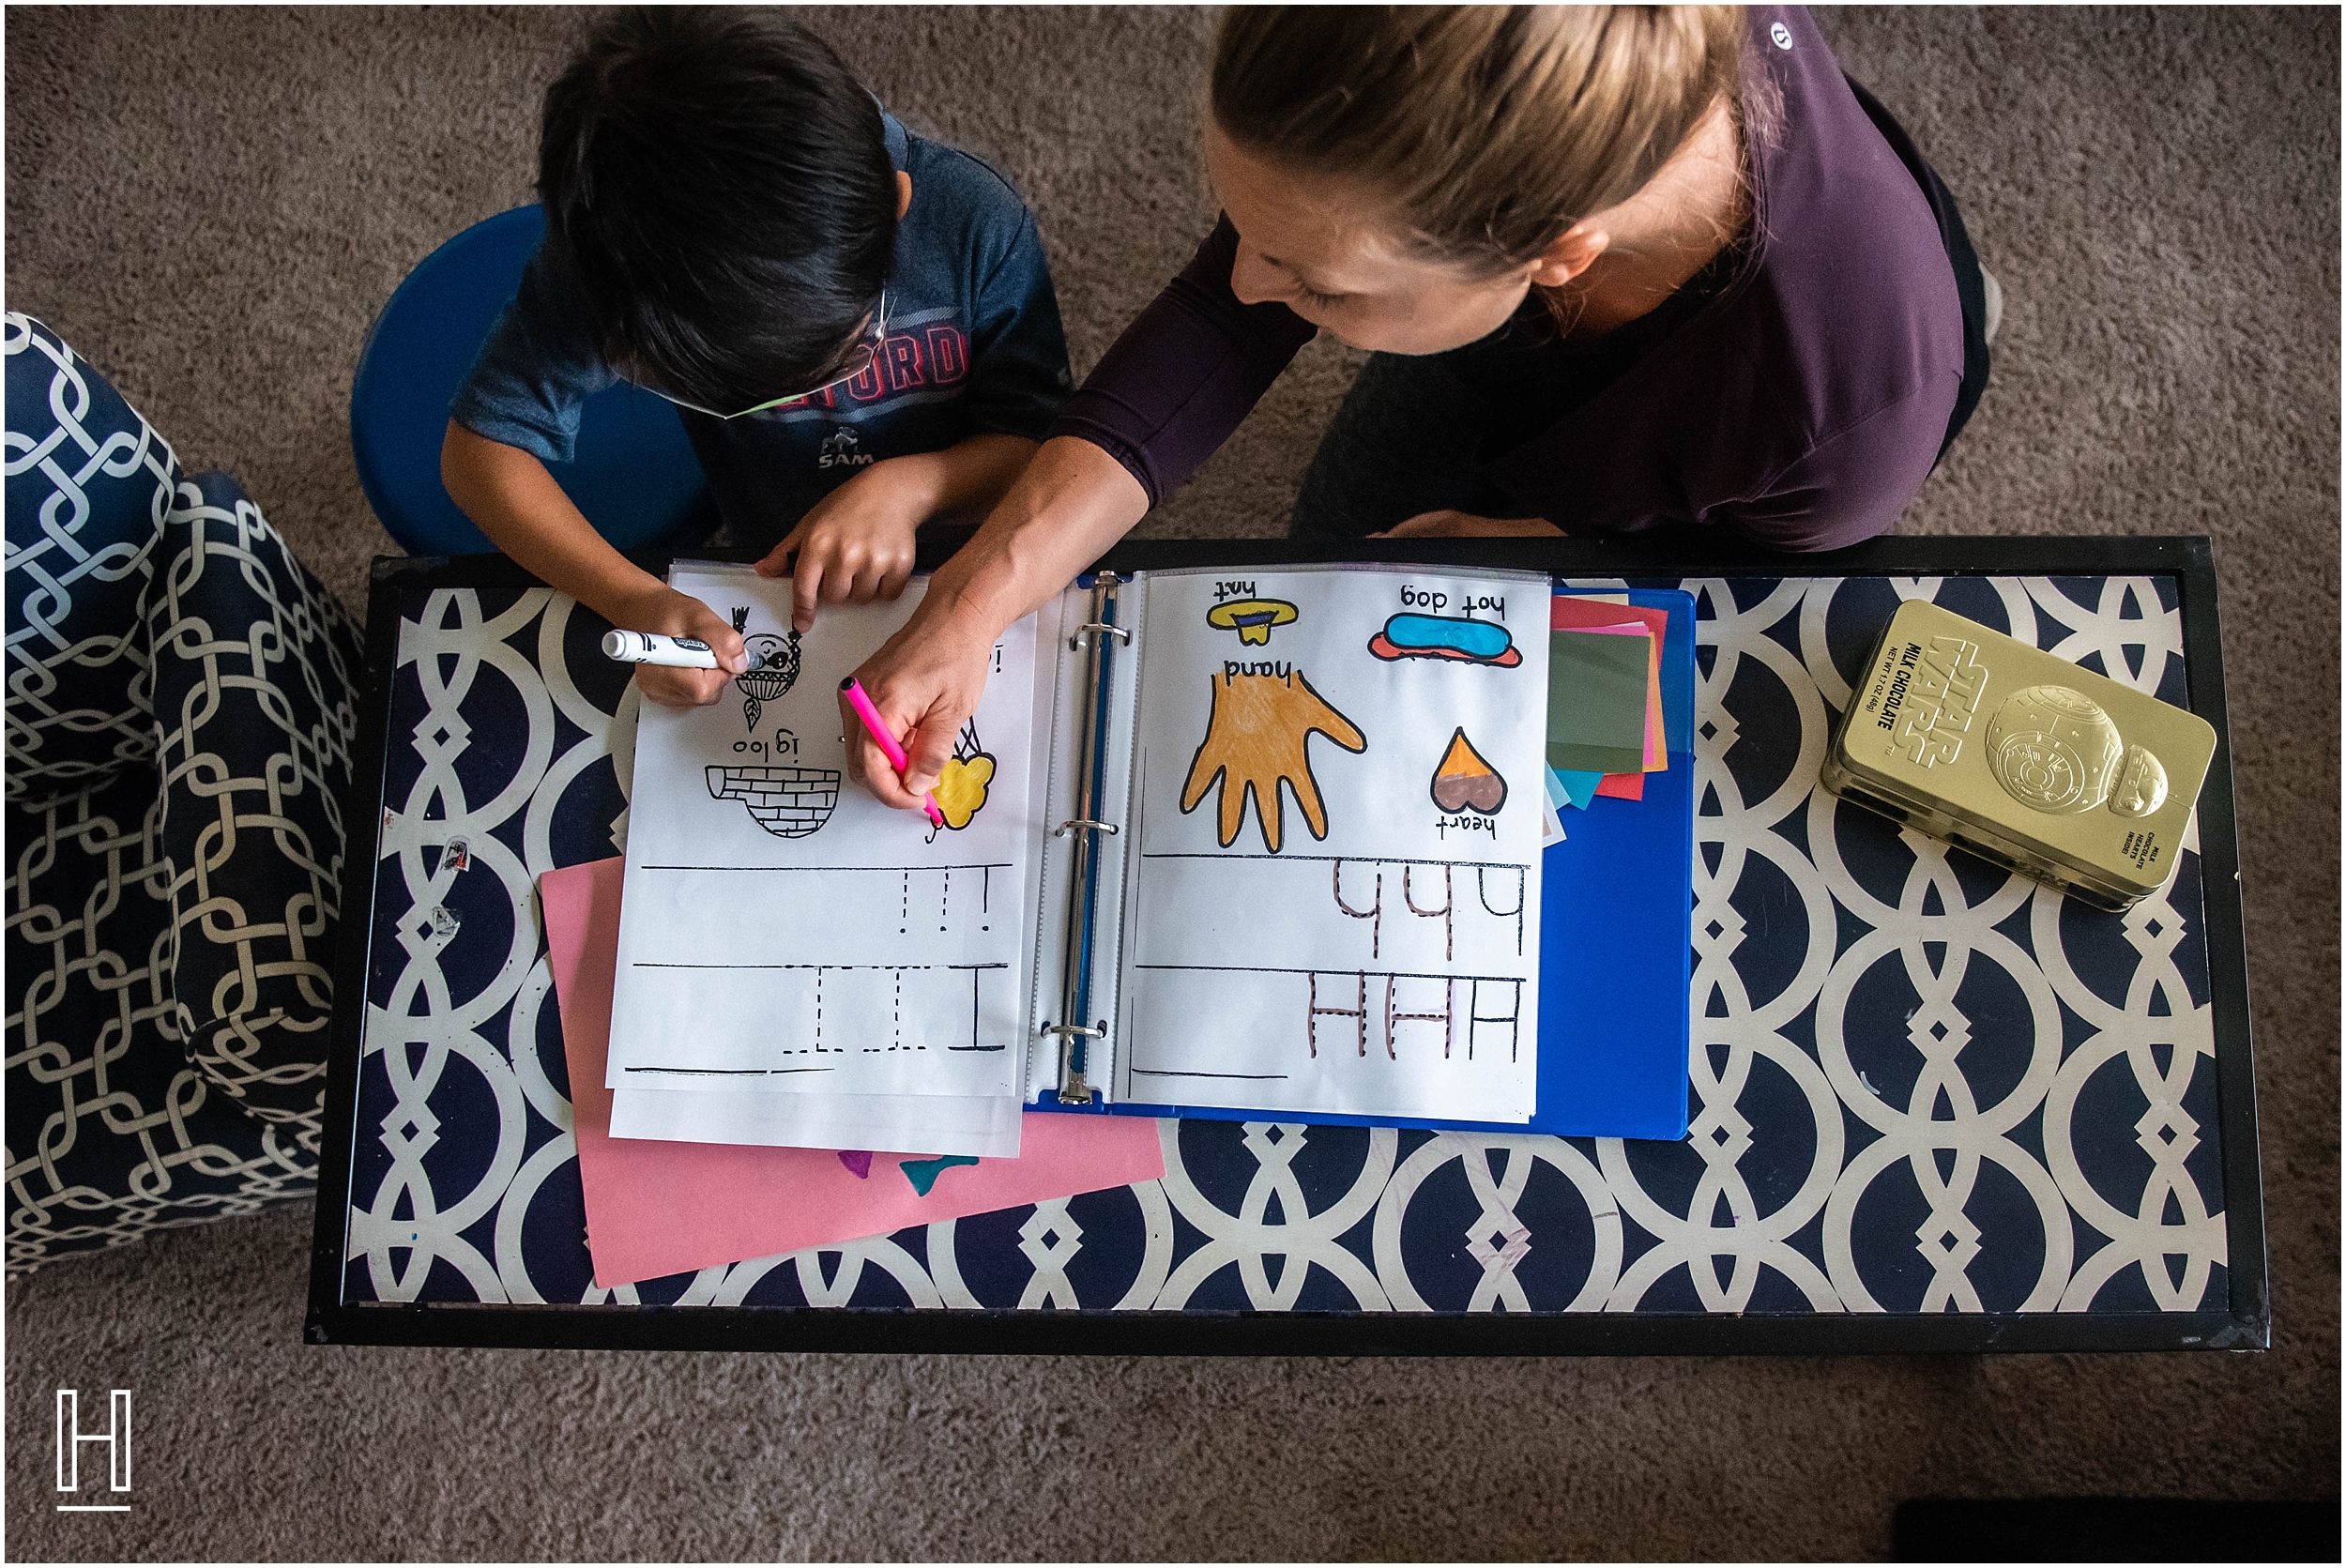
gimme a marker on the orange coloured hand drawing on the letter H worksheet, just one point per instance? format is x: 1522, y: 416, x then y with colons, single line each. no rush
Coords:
x: 1256, y: 741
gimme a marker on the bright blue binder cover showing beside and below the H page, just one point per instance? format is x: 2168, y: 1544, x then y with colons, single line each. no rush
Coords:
x: 1615, y: 949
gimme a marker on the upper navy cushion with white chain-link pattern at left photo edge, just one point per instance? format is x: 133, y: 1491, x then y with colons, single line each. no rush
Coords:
x: 88, y: 492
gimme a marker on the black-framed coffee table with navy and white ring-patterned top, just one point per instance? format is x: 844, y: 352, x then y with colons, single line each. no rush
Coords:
x: 1937, y: 1109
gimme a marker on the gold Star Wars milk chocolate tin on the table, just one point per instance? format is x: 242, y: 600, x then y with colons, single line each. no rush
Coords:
x: 2021, y: 757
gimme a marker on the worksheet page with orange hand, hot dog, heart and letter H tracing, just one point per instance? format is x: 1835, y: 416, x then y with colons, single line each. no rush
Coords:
x: 1334, y: 881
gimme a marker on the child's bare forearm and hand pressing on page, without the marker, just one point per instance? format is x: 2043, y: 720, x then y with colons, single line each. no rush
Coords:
x: 857, y: 543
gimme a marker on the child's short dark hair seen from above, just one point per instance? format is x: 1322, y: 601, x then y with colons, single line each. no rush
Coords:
x: 721, y: 189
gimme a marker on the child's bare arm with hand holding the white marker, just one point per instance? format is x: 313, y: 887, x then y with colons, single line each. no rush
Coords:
x: 517, y: 503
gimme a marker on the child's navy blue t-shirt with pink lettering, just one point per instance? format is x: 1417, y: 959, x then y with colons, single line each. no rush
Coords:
x: 975, y: 346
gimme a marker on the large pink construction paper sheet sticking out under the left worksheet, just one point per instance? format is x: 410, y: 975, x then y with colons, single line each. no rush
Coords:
x: 672, y: 1208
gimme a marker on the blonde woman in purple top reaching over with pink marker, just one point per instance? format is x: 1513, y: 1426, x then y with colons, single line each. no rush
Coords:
x: 1618, y: 269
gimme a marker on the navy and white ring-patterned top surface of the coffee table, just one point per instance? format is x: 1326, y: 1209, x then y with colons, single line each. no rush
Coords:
x: 1920, y: 1086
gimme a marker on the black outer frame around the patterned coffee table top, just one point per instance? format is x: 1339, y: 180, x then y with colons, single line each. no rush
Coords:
x: 2242, y: 1325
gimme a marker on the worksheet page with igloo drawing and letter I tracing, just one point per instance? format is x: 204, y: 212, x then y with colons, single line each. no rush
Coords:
x: 787, y: 933
